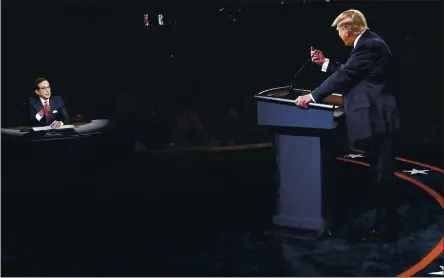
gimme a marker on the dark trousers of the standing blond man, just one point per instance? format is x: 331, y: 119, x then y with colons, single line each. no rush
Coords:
x: 380, y: 151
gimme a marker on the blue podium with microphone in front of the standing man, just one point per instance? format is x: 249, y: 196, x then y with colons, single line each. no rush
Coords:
x: 304, y: 147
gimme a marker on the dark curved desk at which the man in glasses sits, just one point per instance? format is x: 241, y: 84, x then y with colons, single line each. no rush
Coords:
x: 81, y: 148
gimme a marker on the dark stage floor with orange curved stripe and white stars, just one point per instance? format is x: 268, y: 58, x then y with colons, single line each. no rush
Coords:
x: 216, y: 221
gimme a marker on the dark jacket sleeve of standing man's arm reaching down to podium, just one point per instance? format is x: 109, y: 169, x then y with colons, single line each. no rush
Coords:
x: 346, y: 76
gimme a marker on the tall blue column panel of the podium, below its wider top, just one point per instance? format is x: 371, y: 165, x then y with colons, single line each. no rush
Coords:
x: 299, y: 162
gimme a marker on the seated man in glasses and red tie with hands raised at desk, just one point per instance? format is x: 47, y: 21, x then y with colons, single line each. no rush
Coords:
x: 45, y: 110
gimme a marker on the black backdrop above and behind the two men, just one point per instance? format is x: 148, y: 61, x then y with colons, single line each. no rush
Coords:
x: 92, y: 50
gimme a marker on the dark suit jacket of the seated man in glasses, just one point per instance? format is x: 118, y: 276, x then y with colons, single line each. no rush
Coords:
x: 58, y: 111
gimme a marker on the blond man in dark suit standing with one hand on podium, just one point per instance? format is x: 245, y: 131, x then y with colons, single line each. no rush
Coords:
x: 370, y: 107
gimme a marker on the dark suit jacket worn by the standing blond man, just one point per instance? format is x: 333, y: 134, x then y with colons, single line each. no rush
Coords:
x: 366, y: 86
